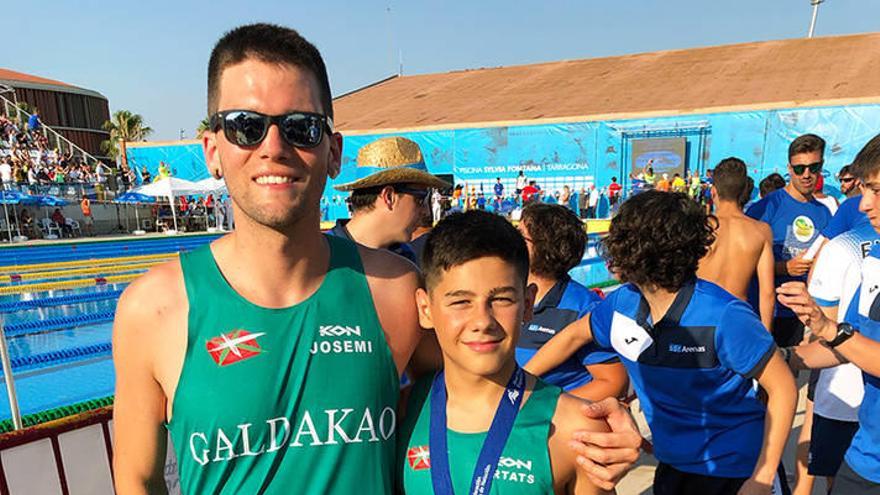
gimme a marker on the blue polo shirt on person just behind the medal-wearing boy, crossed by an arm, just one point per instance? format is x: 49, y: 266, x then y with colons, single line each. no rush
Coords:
x: 565, y: 303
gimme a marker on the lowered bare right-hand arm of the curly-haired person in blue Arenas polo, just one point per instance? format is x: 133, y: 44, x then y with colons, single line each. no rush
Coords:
x: 777, y: 380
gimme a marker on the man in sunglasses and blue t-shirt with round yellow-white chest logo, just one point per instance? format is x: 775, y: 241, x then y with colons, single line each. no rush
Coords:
x: 796, y: 219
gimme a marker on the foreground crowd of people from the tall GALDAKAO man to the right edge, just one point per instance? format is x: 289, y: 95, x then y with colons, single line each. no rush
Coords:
x: 511, y: 372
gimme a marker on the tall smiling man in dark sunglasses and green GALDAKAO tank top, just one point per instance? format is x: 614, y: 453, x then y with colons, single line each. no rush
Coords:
x: 273, y: 356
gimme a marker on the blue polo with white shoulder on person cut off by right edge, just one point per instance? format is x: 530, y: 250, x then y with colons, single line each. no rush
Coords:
x: 863, y: 313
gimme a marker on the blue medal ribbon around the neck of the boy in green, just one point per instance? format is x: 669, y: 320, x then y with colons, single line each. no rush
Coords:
x: 496, y: 438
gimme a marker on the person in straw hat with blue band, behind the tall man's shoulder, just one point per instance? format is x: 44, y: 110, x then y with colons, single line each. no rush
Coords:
x: 389, y: 196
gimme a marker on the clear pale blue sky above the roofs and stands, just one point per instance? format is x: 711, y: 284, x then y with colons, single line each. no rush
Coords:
x: 151, y: 57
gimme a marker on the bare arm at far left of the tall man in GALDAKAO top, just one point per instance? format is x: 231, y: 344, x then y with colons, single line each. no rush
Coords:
x: 139, y: 405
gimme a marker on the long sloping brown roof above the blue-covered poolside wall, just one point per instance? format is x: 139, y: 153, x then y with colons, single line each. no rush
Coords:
x: 772, y: 74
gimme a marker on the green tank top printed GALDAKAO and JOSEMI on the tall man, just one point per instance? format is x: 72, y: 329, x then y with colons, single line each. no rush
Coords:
x: 293, y: 400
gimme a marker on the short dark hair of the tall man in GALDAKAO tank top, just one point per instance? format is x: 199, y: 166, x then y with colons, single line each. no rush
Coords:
x: 268, y: 43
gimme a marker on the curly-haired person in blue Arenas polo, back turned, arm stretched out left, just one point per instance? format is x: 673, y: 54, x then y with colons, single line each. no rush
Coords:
x: 691, y: 350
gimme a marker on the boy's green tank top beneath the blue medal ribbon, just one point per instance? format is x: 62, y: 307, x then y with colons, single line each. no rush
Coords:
x: 524, y: 467
